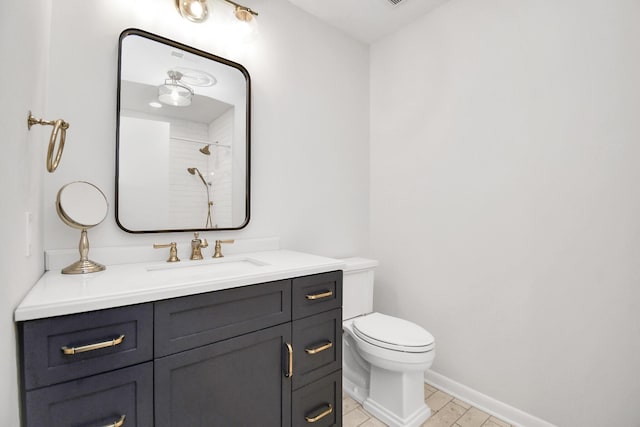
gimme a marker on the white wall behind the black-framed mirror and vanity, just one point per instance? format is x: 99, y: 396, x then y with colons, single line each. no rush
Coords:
x: 309, y: 171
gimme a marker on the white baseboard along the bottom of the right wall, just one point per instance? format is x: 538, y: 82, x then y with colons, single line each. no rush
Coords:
x: 483, y: 402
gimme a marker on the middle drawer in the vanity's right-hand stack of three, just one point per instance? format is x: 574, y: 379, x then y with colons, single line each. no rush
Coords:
x: 317, y: 347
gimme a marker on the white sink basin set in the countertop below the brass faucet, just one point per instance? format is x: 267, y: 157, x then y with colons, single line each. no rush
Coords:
x: 206, y: 269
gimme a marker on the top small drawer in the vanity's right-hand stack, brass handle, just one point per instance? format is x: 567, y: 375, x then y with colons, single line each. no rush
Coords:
x: 317, y: 293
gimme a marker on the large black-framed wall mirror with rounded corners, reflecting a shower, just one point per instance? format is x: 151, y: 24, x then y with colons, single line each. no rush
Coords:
x: 183, y: 138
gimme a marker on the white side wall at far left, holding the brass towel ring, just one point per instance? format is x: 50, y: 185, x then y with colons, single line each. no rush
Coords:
x: 22, y: 167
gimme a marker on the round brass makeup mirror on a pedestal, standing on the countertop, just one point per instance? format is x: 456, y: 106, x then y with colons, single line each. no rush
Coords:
x: 82, y: 205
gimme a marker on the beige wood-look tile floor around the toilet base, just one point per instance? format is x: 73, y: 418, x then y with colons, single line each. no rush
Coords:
x: 446, y: 411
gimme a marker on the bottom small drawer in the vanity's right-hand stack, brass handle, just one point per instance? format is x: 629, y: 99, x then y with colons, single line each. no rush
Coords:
x: 319, y: 404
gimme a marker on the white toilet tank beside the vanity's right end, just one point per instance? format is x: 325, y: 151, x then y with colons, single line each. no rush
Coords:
x: 357, y: 287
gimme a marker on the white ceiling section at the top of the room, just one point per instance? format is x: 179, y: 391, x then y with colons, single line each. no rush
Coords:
x: 367, y: 20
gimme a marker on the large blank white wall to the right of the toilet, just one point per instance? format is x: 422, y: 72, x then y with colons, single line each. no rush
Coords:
x: 504, y: 199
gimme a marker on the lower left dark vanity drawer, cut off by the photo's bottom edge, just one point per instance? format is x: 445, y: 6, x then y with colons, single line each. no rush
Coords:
x: 100, y: 400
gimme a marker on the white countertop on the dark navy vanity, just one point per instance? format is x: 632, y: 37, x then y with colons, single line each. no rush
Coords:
x: 58, y: 294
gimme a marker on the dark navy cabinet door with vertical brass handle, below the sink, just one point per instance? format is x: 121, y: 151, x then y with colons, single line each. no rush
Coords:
x: 237, y: 382
